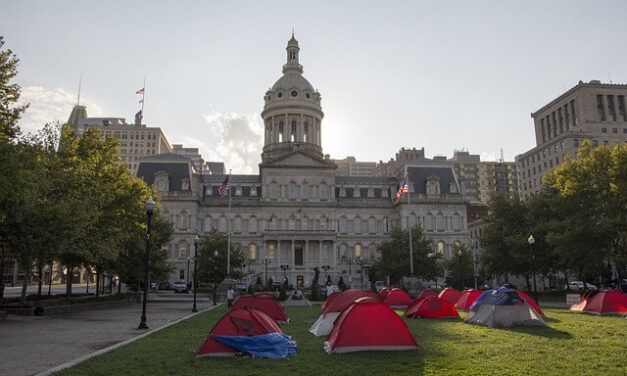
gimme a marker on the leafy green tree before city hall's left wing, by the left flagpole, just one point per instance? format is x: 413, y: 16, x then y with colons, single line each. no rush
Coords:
x: 212, y: 269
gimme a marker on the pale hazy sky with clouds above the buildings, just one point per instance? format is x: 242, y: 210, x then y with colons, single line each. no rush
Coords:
x: 445, y: 75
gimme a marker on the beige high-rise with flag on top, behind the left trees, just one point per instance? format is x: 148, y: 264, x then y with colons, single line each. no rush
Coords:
x: 136, y: 140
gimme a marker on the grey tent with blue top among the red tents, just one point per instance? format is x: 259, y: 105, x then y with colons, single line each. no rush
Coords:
x: 503, y: 308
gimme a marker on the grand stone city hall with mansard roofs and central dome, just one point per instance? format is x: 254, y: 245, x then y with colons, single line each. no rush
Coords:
x: 299, y: 213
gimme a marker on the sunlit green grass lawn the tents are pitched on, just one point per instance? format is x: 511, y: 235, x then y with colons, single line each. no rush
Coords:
x: 573, y: 344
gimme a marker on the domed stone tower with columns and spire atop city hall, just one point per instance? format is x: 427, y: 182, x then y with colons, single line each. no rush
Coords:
x: 292, y: 114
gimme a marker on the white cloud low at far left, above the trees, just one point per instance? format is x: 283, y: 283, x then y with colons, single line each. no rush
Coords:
x: 47, y: 106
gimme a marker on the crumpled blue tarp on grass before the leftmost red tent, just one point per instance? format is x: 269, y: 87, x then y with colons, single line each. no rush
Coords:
x: 273, y: 345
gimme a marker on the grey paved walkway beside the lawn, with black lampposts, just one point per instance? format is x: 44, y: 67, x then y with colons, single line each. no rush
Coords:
x: 30, y: 345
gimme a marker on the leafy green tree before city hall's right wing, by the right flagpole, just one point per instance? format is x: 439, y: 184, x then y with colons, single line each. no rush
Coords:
x: 394, y: 260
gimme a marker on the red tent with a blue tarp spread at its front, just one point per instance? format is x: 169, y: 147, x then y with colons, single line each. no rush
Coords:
x: 237, y: 322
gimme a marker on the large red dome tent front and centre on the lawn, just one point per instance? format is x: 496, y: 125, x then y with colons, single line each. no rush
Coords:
x: 369, y: 326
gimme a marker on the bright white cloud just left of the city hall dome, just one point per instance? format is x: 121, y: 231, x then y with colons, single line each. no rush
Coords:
x: 236, y: 140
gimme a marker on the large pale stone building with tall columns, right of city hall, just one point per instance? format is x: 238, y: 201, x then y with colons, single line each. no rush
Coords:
x: 592, y: 110
